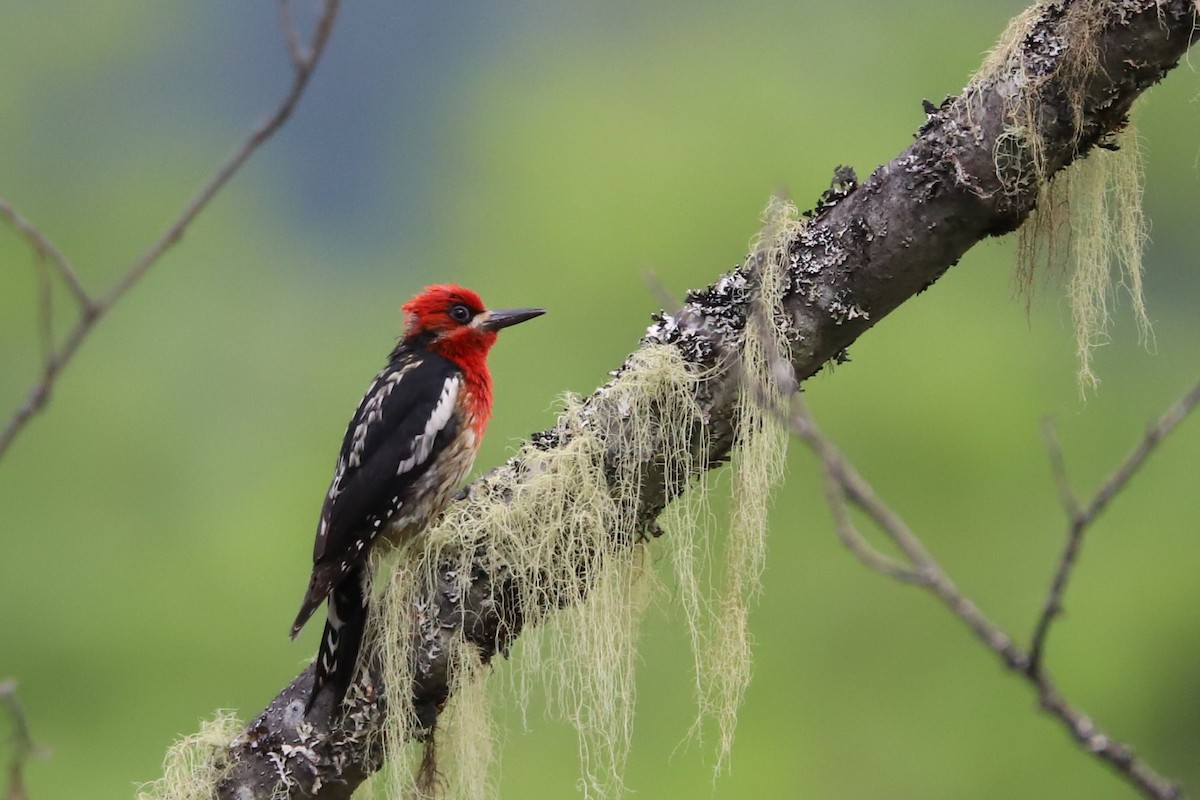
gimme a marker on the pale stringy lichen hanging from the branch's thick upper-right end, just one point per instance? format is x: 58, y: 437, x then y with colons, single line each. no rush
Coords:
x: 1089, y: 218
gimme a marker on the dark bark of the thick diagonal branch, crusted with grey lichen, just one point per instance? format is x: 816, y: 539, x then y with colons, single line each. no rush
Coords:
x: 866, y: 250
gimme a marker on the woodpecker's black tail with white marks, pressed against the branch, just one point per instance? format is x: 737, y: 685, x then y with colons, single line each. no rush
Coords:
x: 343, y: 639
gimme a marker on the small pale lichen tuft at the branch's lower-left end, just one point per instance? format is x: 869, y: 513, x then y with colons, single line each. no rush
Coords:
x: 196, y: 763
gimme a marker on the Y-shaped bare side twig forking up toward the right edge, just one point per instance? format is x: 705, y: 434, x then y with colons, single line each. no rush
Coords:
x: 1081, y: 519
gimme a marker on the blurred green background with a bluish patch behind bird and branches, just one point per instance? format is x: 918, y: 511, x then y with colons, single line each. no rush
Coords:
x: 158, y: 519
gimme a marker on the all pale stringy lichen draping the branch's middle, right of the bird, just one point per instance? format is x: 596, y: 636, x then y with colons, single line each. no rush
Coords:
x: 571, y: 538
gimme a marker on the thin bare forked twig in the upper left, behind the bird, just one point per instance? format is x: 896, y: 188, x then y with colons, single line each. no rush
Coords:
x: 93, y: 311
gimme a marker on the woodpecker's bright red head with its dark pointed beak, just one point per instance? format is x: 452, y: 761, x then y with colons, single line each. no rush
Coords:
x: 453, y: 322
